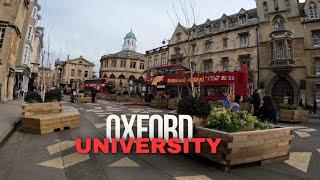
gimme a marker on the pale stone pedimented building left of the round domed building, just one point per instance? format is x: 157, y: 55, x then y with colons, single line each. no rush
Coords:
x: 72, y: 73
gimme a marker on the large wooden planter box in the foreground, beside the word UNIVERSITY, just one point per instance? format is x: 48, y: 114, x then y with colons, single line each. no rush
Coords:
x: 264, y: 146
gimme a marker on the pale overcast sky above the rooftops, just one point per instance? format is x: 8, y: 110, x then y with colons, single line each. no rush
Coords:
x: 97, y: 27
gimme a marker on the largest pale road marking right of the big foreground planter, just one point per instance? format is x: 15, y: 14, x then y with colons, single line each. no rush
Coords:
x: 299, y: 160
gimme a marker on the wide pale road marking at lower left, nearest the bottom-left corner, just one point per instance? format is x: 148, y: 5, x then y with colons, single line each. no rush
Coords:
x: 65, y: 161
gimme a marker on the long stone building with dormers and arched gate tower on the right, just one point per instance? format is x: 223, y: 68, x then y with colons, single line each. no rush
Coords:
x: 279, y: 40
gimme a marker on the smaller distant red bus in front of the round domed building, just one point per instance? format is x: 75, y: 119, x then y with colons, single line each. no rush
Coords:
x: 103, y: 85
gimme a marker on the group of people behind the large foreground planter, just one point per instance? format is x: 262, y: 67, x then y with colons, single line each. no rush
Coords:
x: 265, y: 111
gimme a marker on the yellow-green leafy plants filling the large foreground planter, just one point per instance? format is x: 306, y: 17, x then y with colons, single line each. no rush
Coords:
x: 223, y: 119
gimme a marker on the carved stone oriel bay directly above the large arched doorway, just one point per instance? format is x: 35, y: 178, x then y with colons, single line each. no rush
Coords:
x: 282, y: 61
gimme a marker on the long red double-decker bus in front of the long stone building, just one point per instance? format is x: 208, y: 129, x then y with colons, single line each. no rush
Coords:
x: 175, y: 80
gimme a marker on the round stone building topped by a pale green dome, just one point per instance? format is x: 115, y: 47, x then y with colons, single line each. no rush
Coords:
x: 125, y: 67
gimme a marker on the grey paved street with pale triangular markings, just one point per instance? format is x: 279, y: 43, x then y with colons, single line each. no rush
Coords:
x: 53, y: 156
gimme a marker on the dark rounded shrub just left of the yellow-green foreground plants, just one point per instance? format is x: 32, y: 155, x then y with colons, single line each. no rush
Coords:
x: 194, y: 107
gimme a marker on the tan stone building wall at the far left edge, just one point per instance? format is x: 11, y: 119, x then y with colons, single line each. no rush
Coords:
x: 13, y: 15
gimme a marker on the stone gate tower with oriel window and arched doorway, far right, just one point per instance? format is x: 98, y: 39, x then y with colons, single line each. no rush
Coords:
x: 290, y: 49
